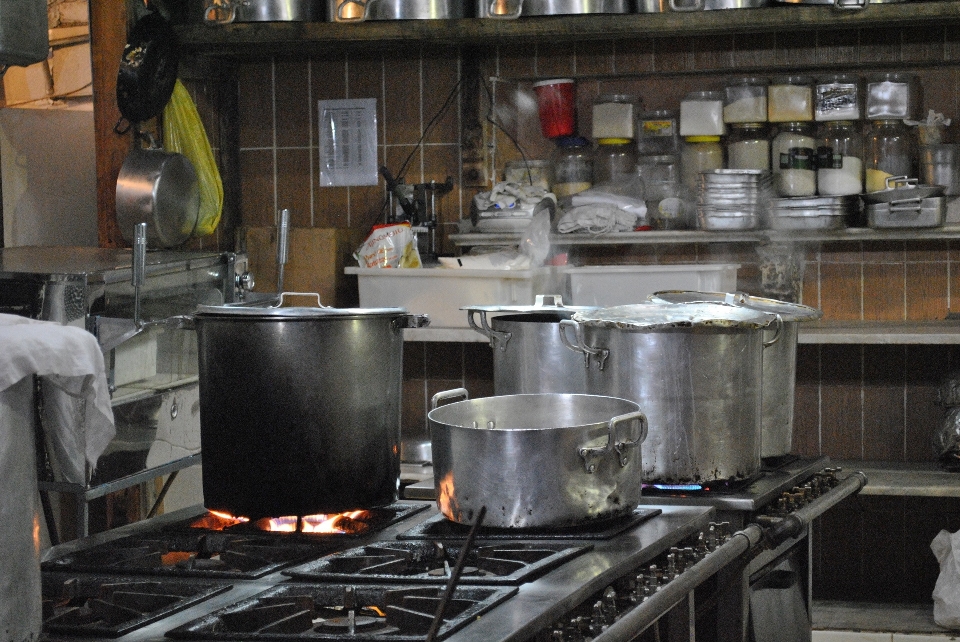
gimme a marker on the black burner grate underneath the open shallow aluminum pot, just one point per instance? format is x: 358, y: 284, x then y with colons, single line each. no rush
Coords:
x: 439, y: 527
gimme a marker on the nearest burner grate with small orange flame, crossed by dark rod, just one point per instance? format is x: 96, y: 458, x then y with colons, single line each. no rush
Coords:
x: 343, y: 612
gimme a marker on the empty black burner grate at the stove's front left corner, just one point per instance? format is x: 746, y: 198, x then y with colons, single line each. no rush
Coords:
x: 114, y: 606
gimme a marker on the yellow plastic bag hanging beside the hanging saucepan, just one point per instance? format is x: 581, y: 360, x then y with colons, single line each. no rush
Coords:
x: 184, y: 133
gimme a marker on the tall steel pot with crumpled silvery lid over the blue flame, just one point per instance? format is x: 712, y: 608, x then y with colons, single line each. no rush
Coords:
x: 696, y: 371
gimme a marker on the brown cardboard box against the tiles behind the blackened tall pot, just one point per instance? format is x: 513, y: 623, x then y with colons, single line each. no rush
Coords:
x: 315, y: 263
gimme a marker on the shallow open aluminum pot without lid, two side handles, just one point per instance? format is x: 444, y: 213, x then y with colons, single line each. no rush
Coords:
x: 543, y: 460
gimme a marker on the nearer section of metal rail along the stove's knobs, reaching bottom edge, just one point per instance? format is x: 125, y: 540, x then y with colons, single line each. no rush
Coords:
x: 672, y: 593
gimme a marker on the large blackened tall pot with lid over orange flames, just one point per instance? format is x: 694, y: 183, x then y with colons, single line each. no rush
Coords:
x: 300, y: 408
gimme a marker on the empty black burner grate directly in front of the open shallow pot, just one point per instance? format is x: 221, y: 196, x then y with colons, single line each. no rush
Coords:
x: 432, y: 562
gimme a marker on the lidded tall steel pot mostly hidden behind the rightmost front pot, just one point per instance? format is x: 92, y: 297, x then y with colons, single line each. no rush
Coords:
x: 779, y: 361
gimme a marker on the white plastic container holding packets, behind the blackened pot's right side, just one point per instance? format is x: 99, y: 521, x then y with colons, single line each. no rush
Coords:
x: 441, y: 292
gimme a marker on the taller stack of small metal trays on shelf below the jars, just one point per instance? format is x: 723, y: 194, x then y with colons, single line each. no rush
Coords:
x: 733, y: 199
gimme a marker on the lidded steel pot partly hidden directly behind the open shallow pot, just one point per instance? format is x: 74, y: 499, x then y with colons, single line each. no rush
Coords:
x: 528, y: 356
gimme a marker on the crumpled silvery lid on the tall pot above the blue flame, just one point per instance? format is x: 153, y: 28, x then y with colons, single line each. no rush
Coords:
x: 657, y: 316
